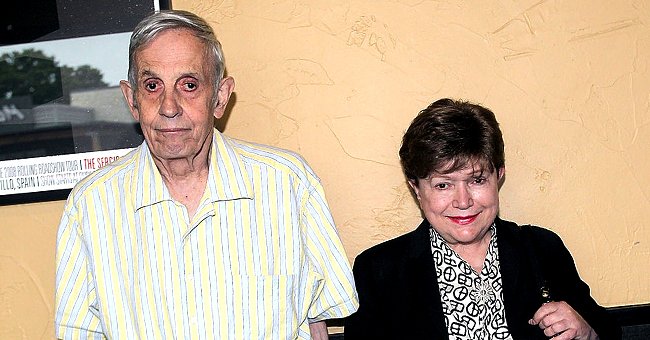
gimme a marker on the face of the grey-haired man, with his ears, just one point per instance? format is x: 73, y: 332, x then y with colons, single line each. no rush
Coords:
x: 173, y: 99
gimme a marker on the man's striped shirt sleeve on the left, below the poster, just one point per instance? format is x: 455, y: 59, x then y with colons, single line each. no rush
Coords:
x: 75, y: 311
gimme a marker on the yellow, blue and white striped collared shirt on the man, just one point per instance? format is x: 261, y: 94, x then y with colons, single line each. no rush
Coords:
x: 260, y: 259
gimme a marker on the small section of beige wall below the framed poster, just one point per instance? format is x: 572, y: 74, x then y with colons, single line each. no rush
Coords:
x: 27, y: 239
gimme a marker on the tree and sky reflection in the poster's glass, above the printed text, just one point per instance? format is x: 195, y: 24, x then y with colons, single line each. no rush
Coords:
x: 63, y: 96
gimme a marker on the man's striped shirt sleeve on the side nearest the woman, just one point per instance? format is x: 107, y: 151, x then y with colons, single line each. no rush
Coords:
x: 336, y: 296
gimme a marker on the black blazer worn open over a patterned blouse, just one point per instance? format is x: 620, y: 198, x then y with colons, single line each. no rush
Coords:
x: 399, y: 296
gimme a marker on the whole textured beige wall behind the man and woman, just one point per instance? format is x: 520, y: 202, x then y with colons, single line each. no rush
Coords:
x: 339, y: 81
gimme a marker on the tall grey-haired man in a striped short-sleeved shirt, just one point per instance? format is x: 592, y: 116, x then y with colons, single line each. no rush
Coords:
x: 194, y: 235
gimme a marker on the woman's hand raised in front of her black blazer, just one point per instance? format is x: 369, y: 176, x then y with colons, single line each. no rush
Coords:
x: 561, y: 322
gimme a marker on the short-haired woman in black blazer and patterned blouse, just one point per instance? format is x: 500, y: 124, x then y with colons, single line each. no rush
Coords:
x: 464, y: 273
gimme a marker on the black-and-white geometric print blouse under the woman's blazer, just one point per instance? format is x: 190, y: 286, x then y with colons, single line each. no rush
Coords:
x: 472, y: 304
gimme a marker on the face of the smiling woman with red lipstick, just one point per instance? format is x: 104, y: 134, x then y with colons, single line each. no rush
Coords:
x: 460, y: 205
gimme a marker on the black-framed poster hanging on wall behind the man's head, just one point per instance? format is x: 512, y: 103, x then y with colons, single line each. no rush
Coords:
x: 62, y: 114
